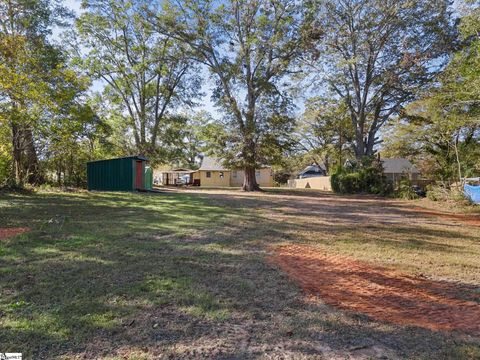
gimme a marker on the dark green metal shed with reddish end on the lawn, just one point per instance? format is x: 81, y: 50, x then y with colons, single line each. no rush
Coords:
x: 120, y: 174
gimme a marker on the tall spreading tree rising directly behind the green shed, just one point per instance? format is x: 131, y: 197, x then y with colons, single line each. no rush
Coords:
x: 146, y: 74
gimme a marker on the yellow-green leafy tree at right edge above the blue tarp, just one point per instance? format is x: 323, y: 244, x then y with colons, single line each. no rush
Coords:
x: 443, y: 127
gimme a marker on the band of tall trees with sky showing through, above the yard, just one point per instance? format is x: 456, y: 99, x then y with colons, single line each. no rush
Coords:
x: 130, y: 77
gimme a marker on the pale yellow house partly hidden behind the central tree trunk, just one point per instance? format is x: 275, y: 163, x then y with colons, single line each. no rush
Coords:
x: 213, y: 173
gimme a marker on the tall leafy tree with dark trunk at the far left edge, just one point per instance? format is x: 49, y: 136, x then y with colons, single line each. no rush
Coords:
x: 30, y: 70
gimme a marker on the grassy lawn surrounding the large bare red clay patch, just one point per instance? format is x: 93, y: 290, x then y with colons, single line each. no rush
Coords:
x: 120, y: 275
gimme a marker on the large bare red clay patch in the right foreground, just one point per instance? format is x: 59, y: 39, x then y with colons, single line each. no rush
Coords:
x: 380, y: 293
